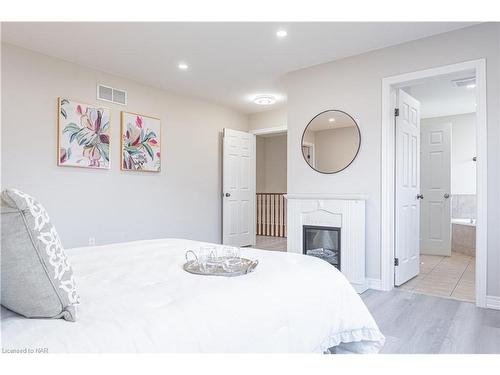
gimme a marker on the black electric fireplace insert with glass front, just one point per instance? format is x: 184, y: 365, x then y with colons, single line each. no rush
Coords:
x: 322, y: 242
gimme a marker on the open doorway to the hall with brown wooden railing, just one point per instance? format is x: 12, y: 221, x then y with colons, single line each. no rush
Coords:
x: 271, y: 188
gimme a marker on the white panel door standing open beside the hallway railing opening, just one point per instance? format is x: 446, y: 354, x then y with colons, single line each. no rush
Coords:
x: 238, y: 188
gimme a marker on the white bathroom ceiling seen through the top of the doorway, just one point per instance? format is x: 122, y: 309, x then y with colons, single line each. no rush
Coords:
x: 439, y: 97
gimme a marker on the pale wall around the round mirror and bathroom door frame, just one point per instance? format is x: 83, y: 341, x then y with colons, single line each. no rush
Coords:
x: 354, y: 85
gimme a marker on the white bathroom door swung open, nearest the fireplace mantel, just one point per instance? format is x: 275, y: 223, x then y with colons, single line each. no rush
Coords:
x: 407, y: 204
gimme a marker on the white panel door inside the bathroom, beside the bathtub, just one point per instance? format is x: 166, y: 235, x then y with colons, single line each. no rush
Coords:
x: 435, y: 181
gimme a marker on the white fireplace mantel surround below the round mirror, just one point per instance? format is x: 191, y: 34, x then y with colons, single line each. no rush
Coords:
x: 332, y: 210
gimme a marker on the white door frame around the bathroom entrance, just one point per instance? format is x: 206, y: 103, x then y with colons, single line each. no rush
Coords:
x: 387, y: 235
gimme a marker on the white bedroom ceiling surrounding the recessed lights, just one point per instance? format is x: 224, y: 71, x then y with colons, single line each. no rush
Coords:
x: 228, y: 62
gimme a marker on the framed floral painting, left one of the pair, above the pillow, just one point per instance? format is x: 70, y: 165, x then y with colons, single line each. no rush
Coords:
x: 83, y: 135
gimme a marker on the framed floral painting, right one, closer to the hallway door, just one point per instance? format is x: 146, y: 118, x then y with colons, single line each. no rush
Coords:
x: 140, y: 140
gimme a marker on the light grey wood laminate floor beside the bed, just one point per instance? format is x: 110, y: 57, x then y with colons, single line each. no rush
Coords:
x: 417, y: 323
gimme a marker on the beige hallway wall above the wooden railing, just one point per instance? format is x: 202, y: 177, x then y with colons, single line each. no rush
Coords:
x: 271, y: 164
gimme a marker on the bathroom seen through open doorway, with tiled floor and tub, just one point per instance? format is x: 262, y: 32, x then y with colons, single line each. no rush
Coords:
x: 447, y: 180
